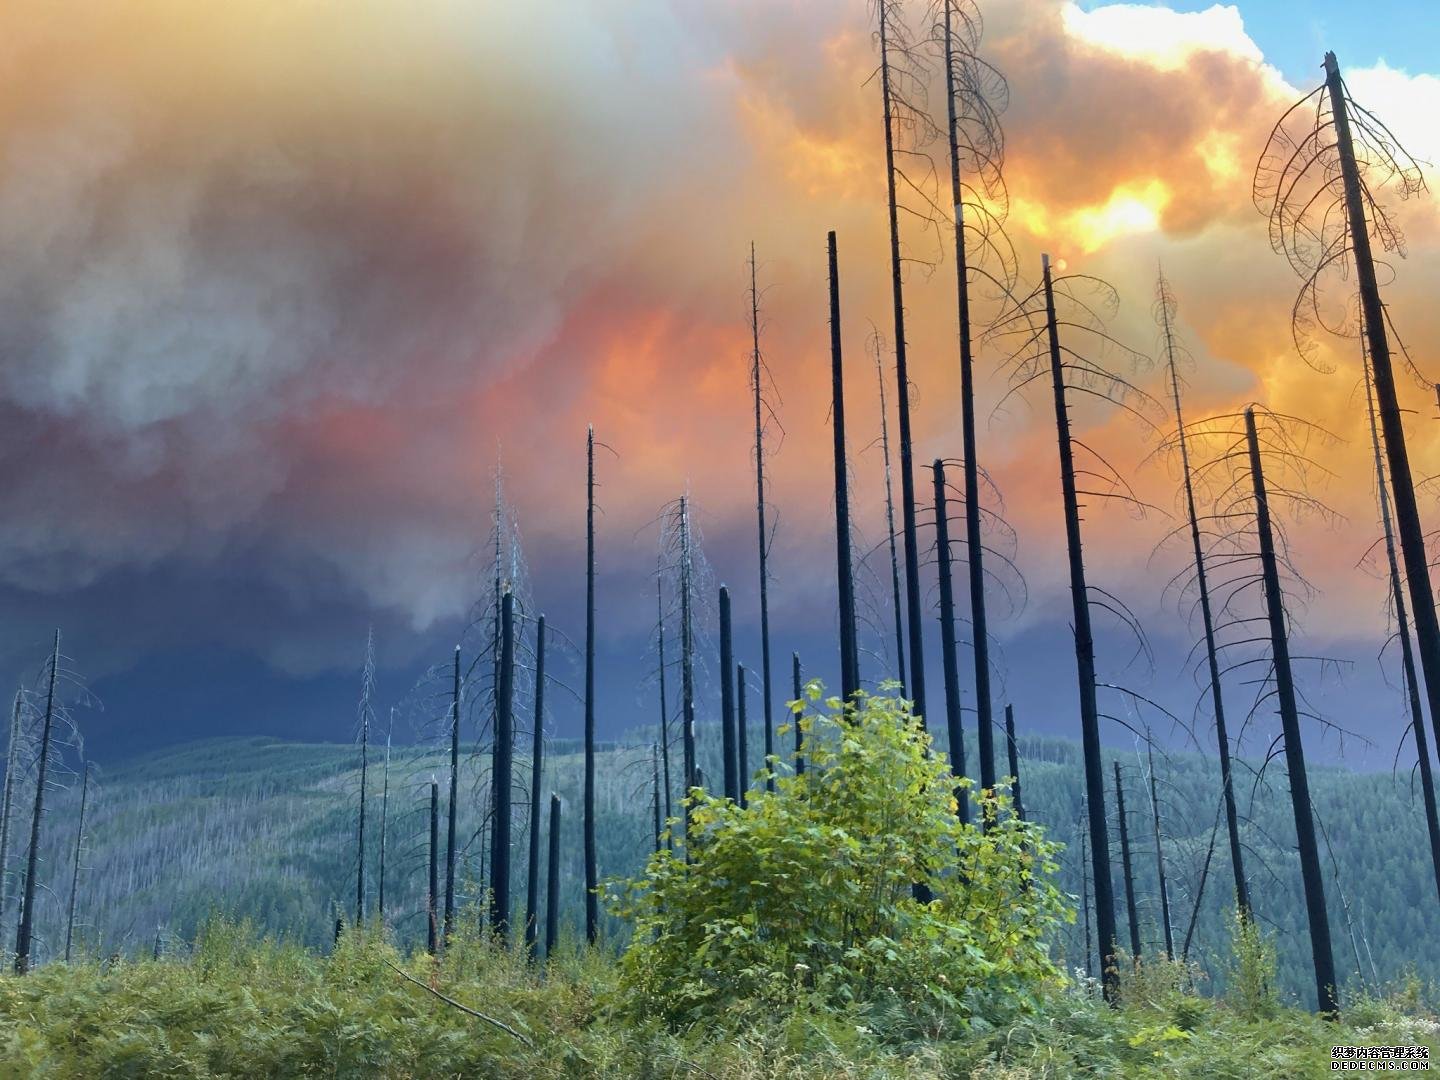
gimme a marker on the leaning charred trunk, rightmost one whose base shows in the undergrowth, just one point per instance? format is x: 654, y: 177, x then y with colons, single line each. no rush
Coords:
x: 1326, y: 984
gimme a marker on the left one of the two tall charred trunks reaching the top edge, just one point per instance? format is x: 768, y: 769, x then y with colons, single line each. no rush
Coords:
x: 912, y: 551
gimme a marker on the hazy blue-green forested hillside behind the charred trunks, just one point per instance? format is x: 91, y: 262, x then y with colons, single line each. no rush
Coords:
x: 266, y: 830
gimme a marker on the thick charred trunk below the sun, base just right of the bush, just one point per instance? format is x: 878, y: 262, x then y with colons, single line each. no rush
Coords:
x: 1085, y: 663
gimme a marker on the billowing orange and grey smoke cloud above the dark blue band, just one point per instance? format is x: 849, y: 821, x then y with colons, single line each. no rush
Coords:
x: 303, y: 273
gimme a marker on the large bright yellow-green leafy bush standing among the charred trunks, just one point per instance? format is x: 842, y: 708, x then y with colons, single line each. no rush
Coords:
x: 807, y: 894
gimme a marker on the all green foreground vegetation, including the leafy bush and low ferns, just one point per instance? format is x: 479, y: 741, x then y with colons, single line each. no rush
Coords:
x: 790, y: 941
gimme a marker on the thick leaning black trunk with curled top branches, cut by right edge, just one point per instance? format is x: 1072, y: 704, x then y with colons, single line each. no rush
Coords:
x: 1402, y: 483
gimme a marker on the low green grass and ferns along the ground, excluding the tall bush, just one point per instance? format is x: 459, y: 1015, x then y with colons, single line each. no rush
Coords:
x: 238, y: 1006
